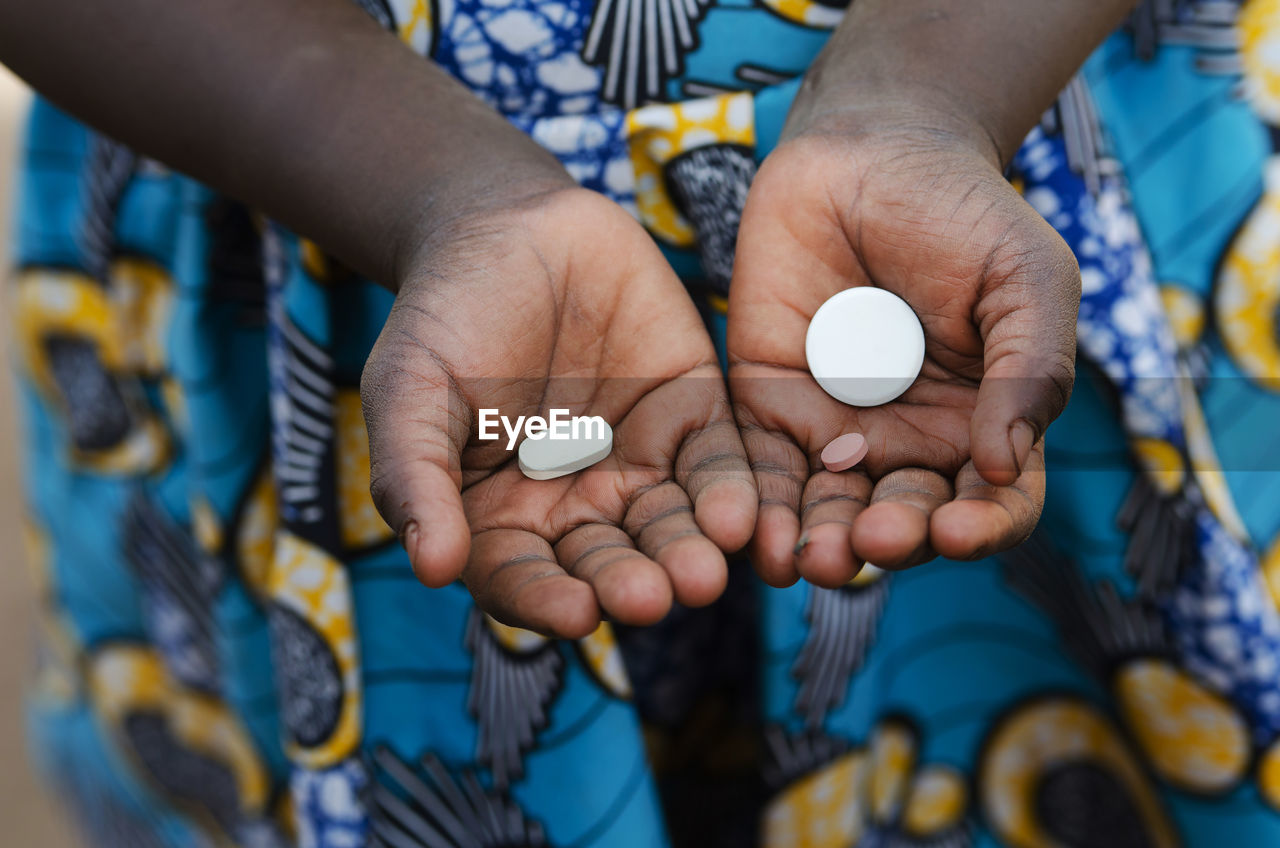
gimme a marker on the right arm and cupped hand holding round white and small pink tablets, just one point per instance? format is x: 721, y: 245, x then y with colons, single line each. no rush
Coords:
x: 889, y: 174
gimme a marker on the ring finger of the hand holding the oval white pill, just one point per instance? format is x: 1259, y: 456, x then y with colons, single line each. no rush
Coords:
x: 661, y: 521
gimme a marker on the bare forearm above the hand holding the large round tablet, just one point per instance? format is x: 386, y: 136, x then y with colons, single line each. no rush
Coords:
x: 988, y: 69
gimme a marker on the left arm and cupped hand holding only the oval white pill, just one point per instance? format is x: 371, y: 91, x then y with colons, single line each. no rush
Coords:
x: 312, y: 113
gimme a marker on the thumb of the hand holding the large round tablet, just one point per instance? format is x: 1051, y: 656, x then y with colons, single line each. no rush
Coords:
x: 1027, y: 317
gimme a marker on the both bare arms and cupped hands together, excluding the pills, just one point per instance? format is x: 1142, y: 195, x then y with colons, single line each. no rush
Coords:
x: 305, y: 110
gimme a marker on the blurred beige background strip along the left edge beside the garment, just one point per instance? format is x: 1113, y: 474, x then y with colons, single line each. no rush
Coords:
x: 30, y: 818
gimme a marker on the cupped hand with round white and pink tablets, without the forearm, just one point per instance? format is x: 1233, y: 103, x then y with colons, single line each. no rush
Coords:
x: 956, y: 464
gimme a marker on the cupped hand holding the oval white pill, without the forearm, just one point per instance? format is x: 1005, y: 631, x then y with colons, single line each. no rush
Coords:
x: 561, y: 302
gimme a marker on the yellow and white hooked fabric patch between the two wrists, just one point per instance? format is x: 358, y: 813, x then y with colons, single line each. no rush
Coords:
x: 660, y: 133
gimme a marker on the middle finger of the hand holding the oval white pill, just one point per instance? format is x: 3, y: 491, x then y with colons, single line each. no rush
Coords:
x: 629, y: 586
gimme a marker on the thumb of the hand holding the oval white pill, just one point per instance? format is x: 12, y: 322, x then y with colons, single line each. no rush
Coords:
x: 418, y: 425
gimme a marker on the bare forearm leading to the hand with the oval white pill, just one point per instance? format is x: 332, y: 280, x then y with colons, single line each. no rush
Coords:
x: 305, y: 110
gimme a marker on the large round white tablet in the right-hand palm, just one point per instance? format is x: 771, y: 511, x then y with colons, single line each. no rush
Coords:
x: 865, y: 347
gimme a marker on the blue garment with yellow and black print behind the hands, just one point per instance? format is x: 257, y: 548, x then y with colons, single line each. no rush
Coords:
x: 234, y: 650
